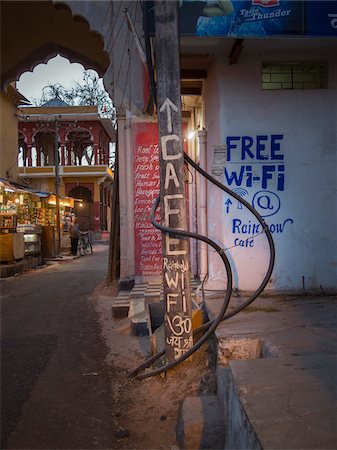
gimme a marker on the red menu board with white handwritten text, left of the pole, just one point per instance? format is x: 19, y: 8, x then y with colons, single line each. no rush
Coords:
x: 148, y: 247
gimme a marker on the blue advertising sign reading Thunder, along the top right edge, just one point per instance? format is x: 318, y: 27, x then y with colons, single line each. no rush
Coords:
x: 257, y: 18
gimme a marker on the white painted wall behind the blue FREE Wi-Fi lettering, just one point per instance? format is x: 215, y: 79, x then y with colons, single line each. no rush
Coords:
x: 306, y: 251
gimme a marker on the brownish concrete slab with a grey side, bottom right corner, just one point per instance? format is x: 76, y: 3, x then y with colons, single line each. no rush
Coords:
x: 282, y: 403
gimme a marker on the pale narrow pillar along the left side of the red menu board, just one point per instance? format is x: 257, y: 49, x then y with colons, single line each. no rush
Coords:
x: 126, y: 197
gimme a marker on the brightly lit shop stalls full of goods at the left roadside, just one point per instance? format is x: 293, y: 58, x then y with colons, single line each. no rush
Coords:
x: 28, y: 227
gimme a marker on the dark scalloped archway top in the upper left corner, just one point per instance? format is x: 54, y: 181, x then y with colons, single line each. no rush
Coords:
x: 56, y: 31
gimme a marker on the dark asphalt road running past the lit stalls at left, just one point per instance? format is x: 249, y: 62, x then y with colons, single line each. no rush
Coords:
x: 55, y: 384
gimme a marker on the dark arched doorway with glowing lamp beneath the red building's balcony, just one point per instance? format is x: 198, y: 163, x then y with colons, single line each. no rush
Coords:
x: 83, y: 210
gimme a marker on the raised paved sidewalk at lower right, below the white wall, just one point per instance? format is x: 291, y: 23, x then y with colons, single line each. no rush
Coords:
x: 285, y: 397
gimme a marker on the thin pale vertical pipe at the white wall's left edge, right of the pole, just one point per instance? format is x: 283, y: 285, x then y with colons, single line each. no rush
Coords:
x: 202, y: 217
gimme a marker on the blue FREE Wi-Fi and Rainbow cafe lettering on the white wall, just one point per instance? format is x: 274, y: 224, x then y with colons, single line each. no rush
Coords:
x: 255, y: 171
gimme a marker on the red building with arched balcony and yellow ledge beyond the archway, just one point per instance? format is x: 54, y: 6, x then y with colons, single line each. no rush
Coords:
x: 81, y: 143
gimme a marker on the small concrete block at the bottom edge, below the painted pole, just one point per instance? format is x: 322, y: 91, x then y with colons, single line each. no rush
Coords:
x: 201, y: 424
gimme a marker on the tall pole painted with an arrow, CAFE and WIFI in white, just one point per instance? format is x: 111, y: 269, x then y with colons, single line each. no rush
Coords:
x: 176, y: 264
